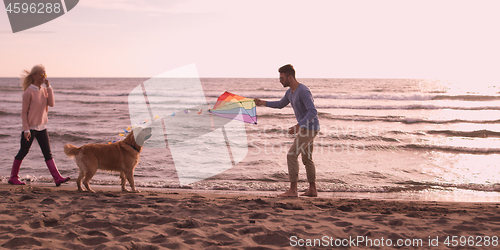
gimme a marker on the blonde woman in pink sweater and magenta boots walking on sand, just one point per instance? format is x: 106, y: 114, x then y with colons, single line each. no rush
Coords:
x: 36, y: 102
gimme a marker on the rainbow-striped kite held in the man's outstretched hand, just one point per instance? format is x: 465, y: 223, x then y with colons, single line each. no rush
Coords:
x: 236, y: 107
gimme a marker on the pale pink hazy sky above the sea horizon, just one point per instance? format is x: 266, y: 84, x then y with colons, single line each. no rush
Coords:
x: 234, y: 38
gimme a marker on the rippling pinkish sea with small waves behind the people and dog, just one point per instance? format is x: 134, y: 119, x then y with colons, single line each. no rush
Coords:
x: 377, y: 135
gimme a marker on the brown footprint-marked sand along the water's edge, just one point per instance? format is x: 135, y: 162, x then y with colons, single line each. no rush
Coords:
x: 46, y: 217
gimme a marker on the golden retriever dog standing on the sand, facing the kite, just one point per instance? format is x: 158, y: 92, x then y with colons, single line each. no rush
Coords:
x: 121, y: 156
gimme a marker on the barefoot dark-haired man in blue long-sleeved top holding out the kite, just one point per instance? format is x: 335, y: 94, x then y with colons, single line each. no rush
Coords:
x: 307, y: 127
